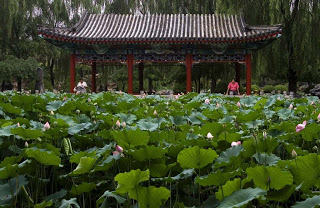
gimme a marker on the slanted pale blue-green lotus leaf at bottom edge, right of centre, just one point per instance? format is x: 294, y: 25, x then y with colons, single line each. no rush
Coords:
x: 242, y: 197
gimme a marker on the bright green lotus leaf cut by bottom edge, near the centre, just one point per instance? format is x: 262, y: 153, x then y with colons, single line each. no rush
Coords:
x: 150, y: 196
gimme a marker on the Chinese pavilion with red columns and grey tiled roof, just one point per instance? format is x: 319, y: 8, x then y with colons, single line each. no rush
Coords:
x: 187, y: 38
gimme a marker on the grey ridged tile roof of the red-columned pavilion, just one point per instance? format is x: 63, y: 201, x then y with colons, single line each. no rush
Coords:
x: 115, y: 28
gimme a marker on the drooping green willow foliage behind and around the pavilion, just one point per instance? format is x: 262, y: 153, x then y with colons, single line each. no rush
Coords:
x: 293, y: 58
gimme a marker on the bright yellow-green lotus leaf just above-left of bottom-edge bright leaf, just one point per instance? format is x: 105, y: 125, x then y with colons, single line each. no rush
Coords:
x: 130, y: 180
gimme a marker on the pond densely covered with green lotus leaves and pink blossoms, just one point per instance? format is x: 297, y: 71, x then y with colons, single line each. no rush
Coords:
x: 199, y: 150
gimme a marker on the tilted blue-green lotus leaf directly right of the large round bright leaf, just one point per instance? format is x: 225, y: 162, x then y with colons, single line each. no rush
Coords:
x: 229, y: 156
